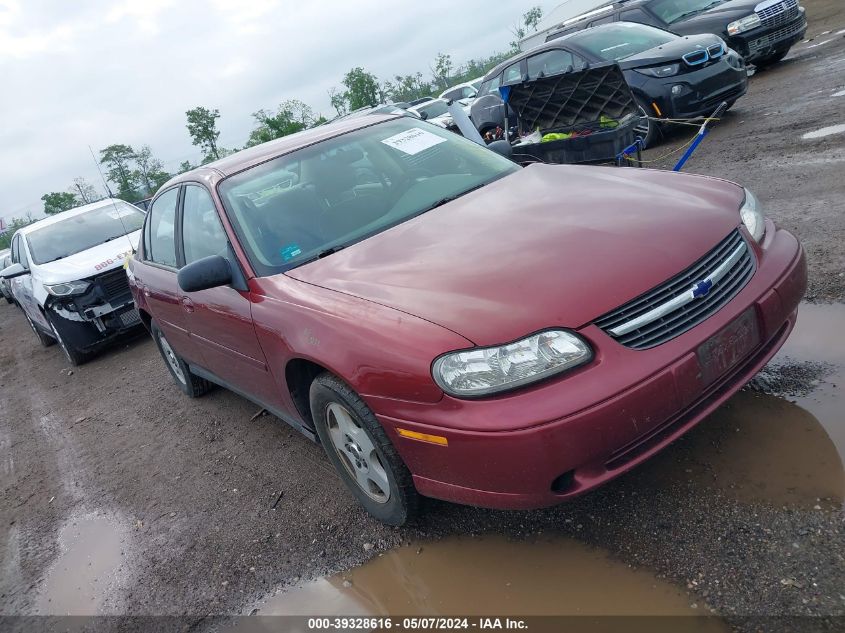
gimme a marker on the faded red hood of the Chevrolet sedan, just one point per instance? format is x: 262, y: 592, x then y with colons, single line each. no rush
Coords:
x: 551, y: 245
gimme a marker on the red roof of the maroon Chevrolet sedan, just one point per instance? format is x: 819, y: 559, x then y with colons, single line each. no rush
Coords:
x: 251, y: 156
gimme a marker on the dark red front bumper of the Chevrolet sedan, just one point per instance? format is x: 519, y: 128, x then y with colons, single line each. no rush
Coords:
x: 512, y: 452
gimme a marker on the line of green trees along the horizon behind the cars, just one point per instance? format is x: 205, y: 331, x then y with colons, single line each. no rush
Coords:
x: 137, y: 174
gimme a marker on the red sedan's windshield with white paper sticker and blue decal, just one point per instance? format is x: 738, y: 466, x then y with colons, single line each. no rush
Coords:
x: 351, y: 187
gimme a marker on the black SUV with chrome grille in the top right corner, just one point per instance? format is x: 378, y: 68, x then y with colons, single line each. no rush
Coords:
x: 762, y: 32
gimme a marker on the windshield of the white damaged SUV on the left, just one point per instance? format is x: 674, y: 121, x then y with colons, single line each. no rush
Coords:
x: 78, y: 233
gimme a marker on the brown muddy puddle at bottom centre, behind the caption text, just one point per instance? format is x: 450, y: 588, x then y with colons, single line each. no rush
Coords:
x: 465, y: 576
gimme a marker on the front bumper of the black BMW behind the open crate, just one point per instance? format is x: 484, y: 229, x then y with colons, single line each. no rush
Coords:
x: 701, y: 91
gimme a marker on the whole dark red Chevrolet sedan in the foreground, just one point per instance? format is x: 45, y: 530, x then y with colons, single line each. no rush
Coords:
x: 448, y: 324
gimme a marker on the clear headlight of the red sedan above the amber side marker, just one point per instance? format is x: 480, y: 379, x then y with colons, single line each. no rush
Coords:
x: 487, y: 370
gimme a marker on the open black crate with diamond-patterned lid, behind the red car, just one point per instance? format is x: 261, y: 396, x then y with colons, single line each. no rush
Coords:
x: 576, y: 102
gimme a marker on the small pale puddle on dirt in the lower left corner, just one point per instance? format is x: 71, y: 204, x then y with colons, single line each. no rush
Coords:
x: 78, y: 581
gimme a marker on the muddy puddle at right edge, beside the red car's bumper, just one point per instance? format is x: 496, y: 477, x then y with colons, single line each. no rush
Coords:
x: 779, y: 450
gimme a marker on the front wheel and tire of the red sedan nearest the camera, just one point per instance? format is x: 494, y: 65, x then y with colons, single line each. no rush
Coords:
x: 361, y: 452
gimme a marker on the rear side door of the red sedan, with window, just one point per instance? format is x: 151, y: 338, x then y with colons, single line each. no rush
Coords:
x: 156, y: 274
